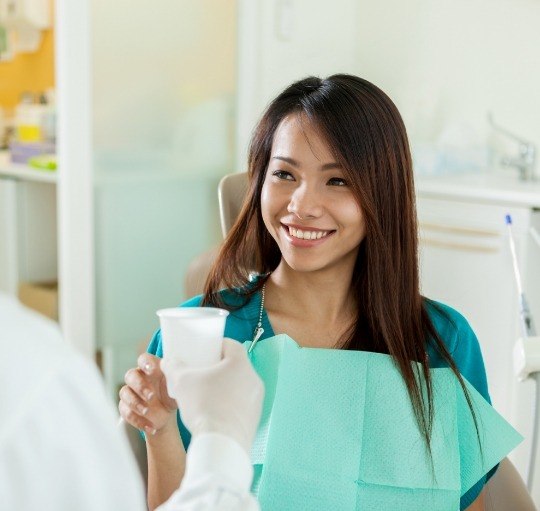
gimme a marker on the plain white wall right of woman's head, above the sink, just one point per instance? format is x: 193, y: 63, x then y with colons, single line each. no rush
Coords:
x: 450, y: 62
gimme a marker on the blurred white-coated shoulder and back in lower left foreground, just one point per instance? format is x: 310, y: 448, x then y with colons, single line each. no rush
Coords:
x: 60, y: 448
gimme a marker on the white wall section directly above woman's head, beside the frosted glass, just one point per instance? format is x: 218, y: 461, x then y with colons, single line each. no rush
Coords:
x: 280, y: 41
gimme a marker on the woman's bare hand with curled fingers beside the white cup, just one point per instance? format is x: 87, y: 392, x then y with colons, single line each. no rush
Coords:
x: 144, y: 402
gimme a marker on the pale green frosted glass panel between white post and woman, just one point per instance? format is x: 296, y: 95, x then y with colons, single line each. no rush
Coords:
x: 163, y: 80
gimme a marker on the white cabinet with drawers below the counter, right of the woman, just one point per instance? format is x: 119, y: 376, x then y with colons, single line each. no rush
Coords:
x: 465, y: 261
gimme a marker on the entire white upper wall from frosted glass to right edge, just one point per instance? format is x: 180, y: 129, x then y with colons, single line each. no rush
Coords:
x: 444, y: 63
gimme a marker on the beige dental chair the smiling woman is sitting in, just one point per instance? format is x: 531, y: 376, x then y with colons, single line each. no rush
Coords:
x: 505, y: 490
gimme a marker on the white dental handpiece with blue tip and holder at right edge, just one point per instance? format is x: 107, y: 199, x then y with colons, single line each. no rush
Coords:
x: 526, y: 352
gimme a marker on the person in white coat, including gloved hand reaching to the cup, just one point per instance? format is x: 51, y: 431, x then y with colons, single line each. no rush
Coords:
x: 60, y: 448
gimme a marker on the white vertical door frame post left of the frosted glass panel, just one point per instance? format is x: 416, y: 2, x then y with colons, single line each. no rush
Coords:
x: 75, y: 180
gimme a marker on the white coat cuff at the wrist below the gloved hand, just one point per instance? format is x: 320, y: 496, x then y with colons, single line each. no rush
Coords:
x: 218, y: 477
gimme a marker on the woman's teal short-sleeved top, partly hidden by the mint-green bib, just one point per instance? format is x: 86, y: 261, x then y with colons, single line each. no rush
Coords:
x: 452, y: 327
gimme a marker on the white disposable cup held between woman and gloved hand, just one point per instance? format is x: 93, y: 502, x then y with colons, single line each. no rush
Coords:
x: 193, y: 334
